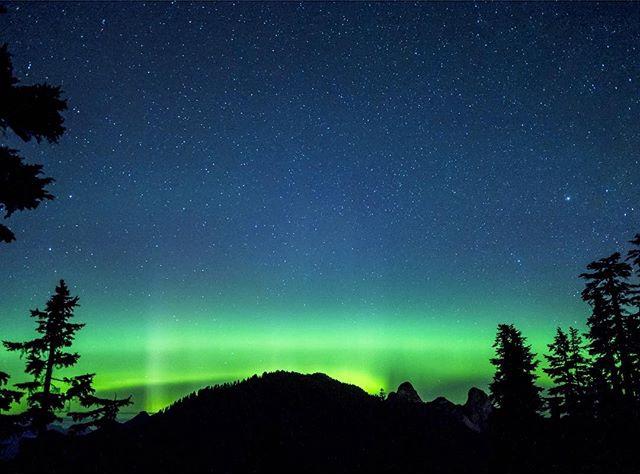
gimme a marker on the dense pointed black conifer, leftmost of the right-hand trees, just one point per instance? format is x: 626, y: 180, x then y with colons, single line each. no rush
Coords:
x: 513, y: 389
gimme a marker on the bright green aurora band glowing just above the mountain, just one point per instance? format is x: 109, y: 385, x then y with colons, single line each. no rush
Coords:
x: 159, y: 363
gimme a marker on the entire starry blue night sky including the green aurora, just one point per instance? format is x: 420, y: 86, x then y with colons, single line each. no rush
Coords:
x: 364, y: 190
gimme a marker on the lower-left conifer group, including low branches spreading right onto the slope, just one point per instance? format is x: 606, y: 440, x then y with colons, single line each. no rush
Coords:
x: 51, y: 390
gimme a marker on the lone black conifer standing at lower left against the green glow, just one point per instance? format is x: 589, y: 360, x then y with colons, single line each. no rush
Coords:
x: 47, y: 353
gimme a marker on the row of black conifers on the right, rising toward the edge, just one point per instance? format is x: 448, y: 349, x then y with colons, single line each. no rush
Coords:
x: 595, y: 373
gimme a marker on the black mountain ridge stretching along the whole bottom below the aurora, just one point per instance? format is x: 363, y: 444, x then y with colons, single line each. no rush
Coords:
x: 286, y: 422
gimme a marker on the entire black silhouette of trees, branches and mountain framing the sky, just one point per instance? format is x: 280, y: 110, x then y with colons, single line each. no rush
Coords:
x: 586, y: 422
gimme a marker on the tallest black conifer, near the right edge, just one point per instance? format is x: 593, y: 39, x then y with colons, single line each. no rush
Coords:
x: 611, y: 325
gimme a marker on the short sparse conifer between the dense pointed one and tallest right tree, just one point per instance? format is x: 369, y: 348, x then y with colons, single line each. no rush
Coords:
x: 568, y: 369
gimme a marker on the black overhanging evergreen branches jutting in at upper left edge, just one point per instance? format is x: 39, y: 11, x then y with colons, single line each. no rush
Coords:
x: 30, y: 112
